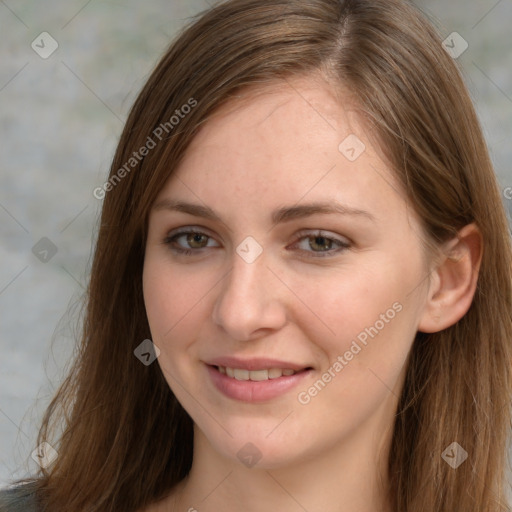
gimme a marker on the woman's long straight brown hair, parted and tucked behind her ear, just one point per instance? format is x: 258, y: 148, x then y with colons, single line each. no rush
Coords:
x: 123, y: 439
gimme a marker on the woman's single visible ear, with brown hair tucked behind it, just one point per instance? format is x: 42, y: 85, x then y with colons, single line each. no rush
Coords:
x: 453, y: 282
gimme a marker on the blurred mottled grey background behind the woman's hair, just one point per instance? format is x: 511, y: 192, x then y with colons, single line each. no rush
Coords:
x: 61, y: 116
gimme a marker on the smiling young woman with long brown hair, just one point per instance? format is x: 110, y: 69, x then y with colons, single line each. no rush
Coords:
x: 301, y: 290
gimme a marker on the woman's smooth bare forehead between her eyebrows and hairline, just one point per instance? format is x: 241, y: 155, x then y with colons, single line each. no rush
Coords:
x: 281, y: 143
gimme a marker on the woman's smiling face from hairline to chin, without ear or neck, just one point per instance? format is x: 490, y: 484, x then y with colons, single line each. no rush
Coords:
x: 270, y: 281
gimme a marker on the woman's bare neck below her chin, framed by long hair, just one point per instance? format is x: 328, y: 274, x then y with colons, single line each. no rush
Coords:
x: 349, y: 477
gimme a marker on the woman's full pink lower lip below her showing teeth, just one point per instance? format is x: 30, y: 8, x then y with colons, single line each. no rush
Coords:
x: 254, y: 391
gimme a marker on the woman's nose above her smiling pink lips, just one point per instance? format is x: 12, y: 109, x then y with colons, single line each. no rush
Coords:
x: 250, y: 302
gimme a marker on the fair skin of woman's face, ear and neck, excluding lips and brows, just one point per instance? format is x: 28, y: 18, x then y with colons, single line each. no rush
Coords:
x: 281, y: 149
